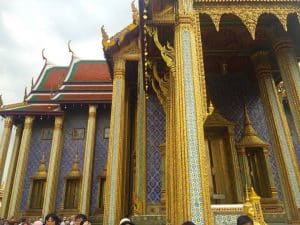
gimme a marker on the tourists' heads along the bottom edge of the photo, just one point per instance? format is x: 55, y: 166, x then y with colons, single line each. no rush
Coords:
x: 81, y: 219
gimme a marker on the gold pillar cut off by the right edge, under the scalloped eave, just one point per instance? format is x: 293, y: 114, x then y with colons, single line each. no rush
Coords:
x: 289, y: 69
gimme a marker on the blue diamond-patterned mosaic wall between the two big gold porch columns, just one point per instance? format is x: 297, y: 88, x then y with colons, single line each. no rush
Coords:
x: 155, y: 137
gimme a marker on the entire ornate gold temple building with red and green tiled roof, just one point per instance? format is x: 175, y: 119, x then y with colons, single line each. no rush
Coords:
x: 195, y: 110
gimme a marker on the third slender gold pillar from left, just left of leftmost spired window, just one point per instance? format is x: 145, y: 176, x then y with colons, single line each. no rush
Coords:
x: 20, y: 170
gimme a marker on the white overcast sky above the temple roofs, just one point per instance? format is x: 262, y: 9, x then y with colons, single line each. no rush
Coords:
x: 28, y: 26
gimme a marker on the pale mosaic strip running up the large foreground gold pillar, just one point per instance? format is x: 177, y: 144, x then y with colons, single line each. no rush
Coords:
x: 197, y: 209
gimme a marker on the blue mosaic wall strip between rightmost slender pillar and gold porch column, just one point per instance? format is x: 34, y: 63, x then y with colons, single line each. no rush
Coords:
x: 101, y: 148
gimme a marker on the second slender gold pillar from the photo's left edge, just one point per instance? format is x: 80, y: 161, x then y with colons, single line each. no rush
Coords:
x: 11, y: 173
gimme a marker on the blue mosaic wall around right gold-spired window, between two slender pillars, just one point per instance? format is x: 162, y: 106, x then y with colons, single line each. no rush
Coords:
x: 74, y: 119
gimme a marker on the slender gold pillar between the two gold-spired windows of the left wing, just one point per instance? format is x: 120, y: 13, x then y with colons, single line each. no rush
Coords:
x: 53, y: 167
